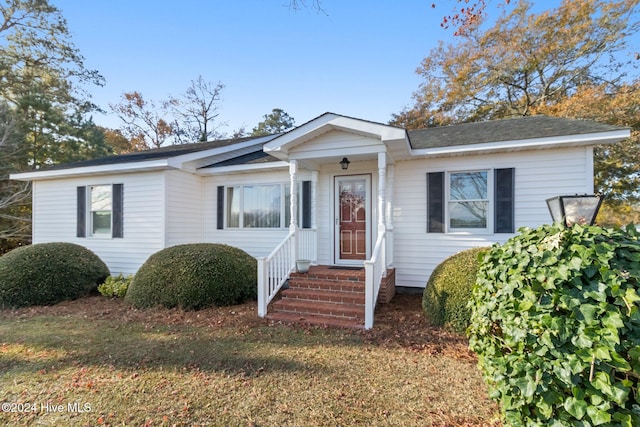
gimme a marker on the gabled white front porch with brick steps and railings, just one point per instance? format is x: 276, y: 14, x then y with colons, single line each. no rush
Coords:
x: 347, y: 222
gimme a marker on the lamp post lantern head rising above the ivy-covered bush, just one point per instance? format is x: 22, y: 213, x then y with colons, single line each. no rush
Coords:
x: 570, y: 210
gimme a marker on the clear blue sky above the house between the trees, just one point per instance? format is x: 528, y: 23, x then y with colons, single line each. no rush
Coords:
x: 357, y: 59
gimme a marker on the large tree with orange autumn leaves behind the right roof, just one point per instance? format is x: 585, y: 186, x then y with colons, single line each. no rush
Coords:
x: 524, y: 61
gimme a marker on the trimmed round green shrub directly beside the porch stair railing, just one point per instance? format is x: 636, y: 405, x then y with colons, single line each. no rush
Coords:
x: 195, y: 276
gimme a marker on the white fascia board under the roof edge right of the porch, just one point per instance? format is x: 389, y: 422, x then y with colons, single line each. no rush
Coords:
x: 524, y: 144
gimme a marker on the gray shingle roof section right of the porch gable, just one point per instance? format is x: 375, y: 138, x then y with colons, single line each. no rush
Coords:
x: 503, y: 130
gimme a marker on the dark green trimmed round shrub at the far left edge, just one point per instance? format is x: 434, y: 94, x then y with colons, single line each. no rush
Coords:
x: 48, y: 273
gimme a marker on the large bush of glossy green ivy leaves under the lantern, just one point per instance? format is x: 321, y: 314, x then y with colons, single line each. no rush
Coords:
x: 556, y: 325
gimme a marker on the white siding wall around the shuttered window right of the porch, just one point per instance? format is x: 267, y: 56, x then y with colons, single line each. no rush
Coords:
x: 539, y: 174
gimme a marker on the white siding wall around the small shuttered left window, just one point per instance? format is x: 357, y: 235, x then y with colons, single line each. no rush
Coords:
x: 55, y: 217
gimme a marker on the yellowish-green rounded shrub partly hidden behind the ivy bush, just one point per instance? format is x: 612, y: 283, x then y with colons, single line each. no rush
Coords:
x: 446, y: 297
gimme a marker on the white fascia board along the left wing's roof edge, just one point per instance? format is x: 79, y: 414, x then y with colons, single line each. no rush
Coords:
x: 92, y: 170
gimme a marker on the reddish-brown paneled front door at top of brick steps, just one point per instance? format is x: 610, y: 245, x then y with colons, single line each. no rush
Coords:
x: 353, y: 216
